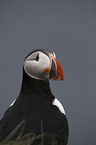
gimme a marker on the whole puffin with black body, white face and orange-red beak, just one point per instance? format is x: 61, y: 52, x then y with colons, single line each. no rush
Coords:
x: 36, y: 104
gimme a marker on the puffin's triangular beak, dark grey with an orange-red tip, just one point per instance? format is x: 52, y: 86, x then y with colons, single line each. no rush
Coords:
x: 56, y: 72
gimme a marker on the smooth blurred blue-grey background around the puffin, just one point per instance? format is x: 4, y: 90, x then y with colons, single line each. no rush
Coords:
x: 68, y: 27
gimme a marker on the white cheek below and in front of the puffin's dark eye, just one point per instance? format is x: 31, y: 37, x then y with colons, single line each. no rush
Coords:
x: 36, y: 69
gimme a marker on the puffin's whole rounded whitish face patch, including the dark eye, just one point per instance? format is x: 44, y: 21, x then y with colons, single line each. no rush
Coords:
x: 36, y: 64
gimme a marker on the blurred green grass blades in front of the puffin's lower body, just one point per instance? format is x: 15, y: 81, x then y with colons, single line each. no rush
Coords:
x: 16, y: 137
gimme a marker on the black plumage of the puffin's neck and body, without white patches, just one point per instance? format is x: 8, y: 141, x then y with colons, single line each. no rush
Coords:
x: 34, y: 105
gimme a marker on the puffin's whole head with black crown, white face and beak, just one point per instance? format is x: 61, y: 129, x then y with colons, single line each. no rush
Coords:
x: 42, y: 64
